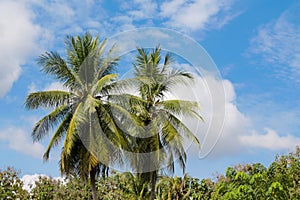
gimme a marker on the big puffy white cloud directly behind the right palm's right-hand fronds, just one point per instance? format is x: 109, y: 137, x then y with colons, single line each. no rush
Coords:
x: 223, y: 122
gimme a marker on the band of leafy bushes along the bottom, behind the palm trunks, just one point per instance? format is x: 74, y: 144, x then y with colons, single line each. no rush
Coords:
x: 281, y: 180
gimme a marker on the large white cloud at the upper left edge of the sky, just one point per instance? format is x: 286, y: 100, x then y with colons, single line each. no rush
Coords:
x: 17, y: 41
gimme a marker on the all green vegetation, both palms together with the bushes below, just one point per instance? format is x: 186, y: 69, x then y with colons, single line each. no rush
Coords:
x: 101, y: 123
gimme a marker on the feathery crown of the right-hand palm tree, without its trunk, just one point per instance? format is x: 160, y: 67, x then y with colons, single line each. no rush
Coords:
x: 161, y: 117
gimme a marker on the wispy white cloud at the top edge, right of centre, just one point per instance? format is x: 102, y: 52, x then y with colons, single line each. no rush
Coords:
x: 196, y: 15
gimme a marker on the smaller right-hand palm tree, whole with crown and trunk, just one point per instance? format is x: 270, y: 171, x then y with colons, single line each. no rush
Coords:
x: 163, y: 131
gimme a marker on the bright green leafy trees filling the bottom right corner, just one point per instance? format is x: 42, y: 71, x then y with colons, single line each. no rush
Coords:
x: 254, y: 181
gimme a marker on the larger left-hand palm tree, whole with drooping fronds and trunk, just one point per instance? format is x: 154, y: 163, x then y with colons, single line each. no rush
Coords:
x: 80, y: 115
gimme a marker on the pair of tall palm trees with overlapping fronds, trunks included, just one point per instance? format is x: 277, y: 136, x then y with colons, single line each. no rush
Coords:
x: 99, y: 122
